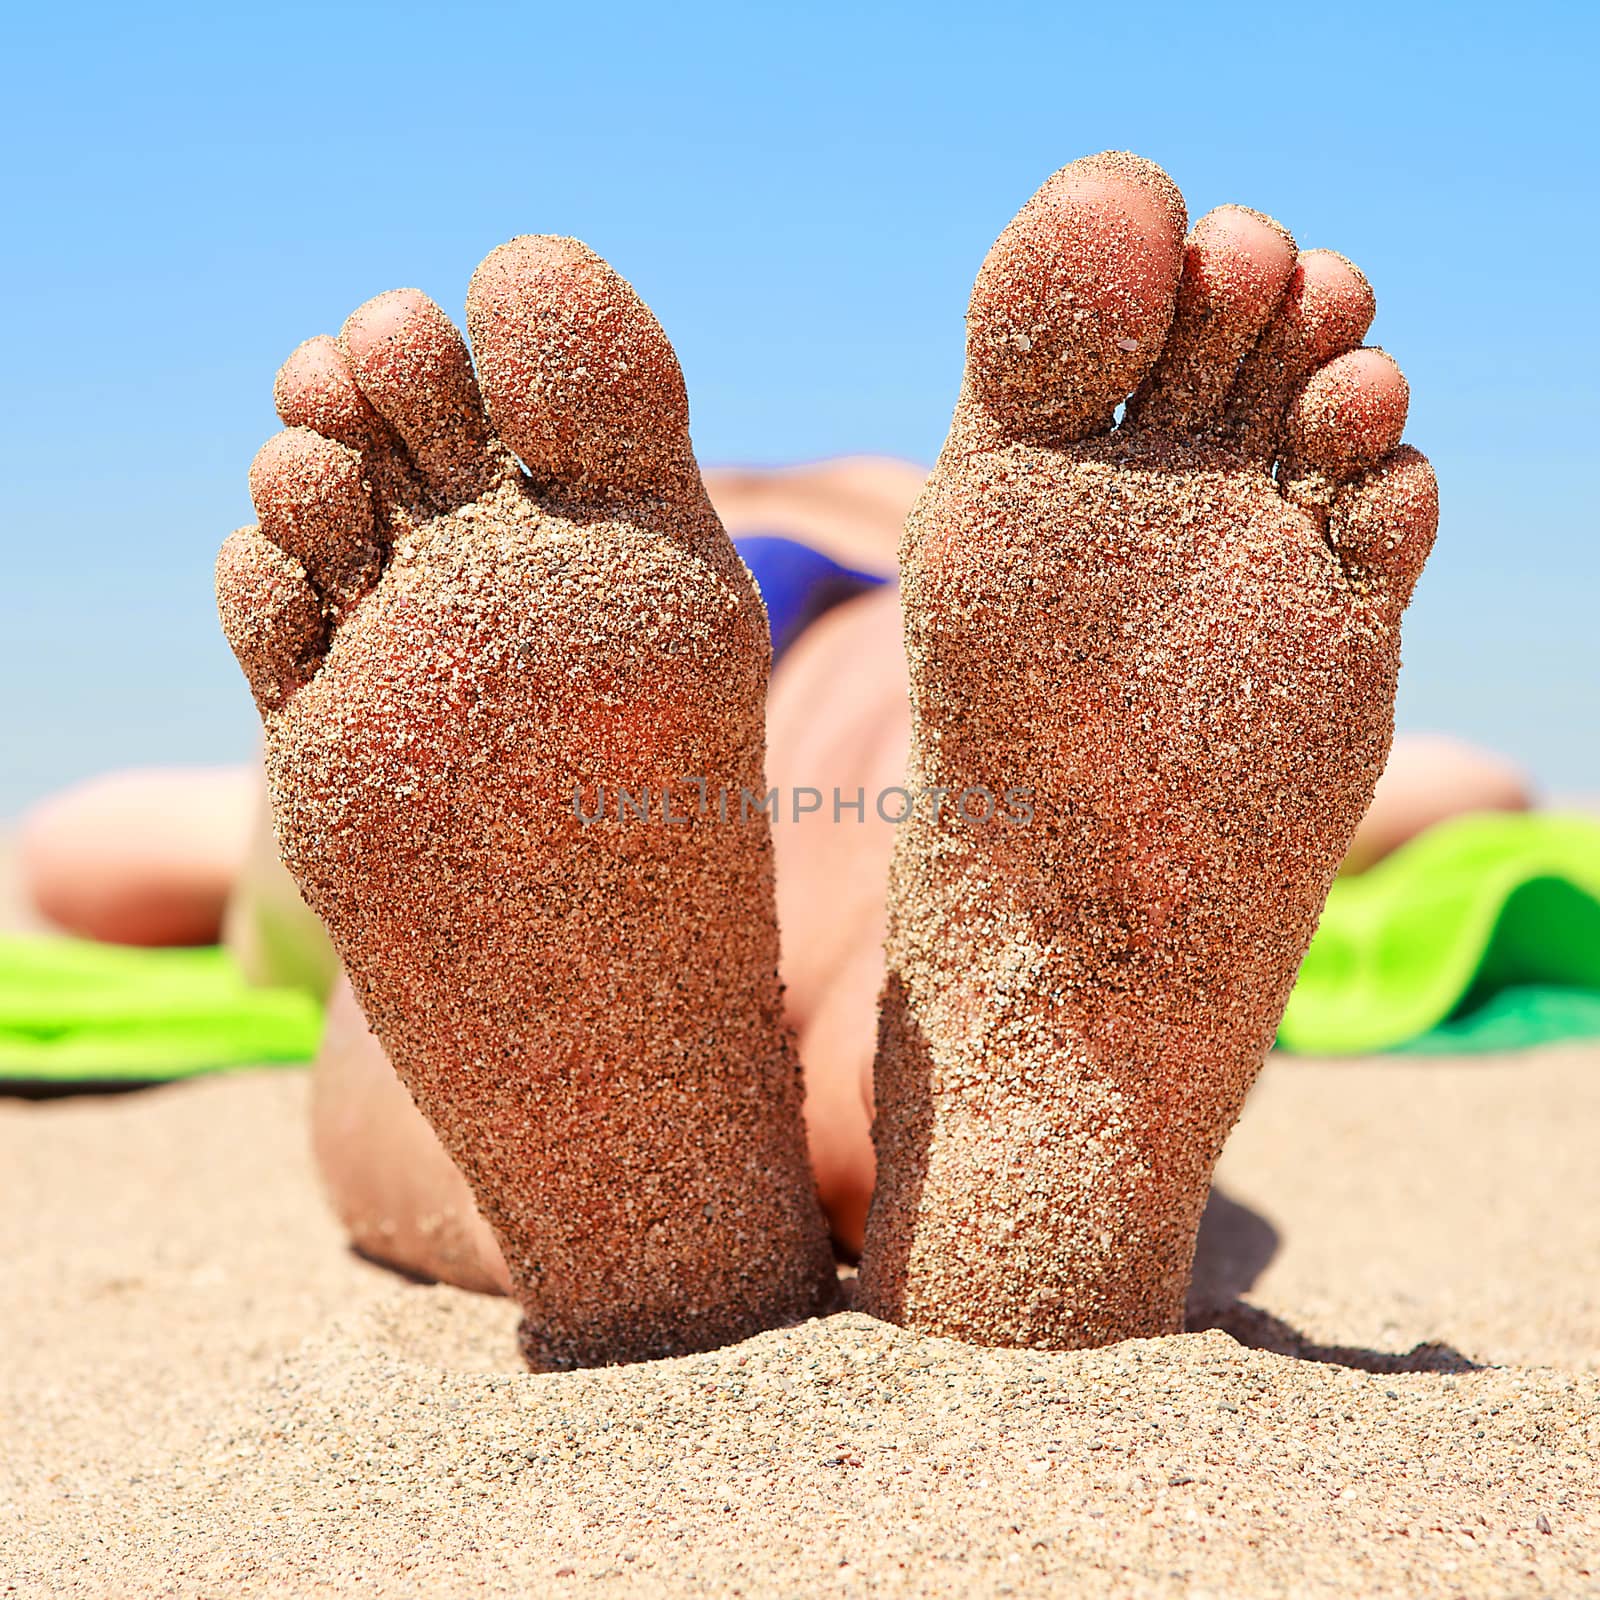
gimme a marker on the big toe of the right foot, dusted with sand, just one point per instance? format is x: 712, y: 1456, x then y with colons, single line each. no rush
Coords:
x: 1073, y: 303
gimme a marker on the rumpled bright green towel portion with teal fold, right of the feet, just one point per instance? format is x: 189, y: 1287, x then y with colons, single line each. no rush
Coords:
x: 1482, y: 934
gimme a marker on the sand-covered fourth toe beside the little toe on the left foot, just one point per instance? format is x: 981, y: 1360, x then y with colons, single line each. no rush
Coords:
x: 313, y: 502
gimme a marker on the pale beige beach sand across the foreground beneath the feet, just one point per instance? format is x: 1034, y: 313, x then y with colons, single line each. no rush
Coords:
x: 204, y: 1393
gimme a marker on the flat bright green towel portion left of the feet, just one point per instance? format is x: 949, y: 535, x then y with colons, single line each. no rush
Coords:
x: 73, y: 1012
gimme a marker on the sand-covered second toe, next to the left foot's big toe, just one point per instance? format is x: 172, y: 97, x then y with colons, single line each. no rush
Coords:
x: 412, y: 364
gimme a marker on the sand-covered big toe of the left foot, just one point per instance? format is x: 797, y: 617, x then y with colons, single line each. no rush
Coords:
x: 578, y: 375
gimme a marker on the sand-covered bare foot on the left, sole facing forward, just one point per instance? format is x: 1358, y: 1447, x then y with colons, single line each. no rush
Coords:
x: 454, y: 658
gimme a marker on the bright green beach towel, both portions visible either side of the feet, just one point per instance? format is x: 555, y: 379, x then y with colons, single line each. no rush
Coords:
x: 1481, y: 935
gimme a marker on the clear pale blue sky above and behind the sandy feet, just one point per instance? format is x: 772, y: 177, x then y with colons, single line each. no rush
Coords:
x: 804, y: 194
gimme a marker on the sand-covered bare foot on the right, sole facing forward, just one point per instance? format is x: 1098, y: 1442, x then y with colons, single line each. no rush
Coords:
x: 1188, y: 668
